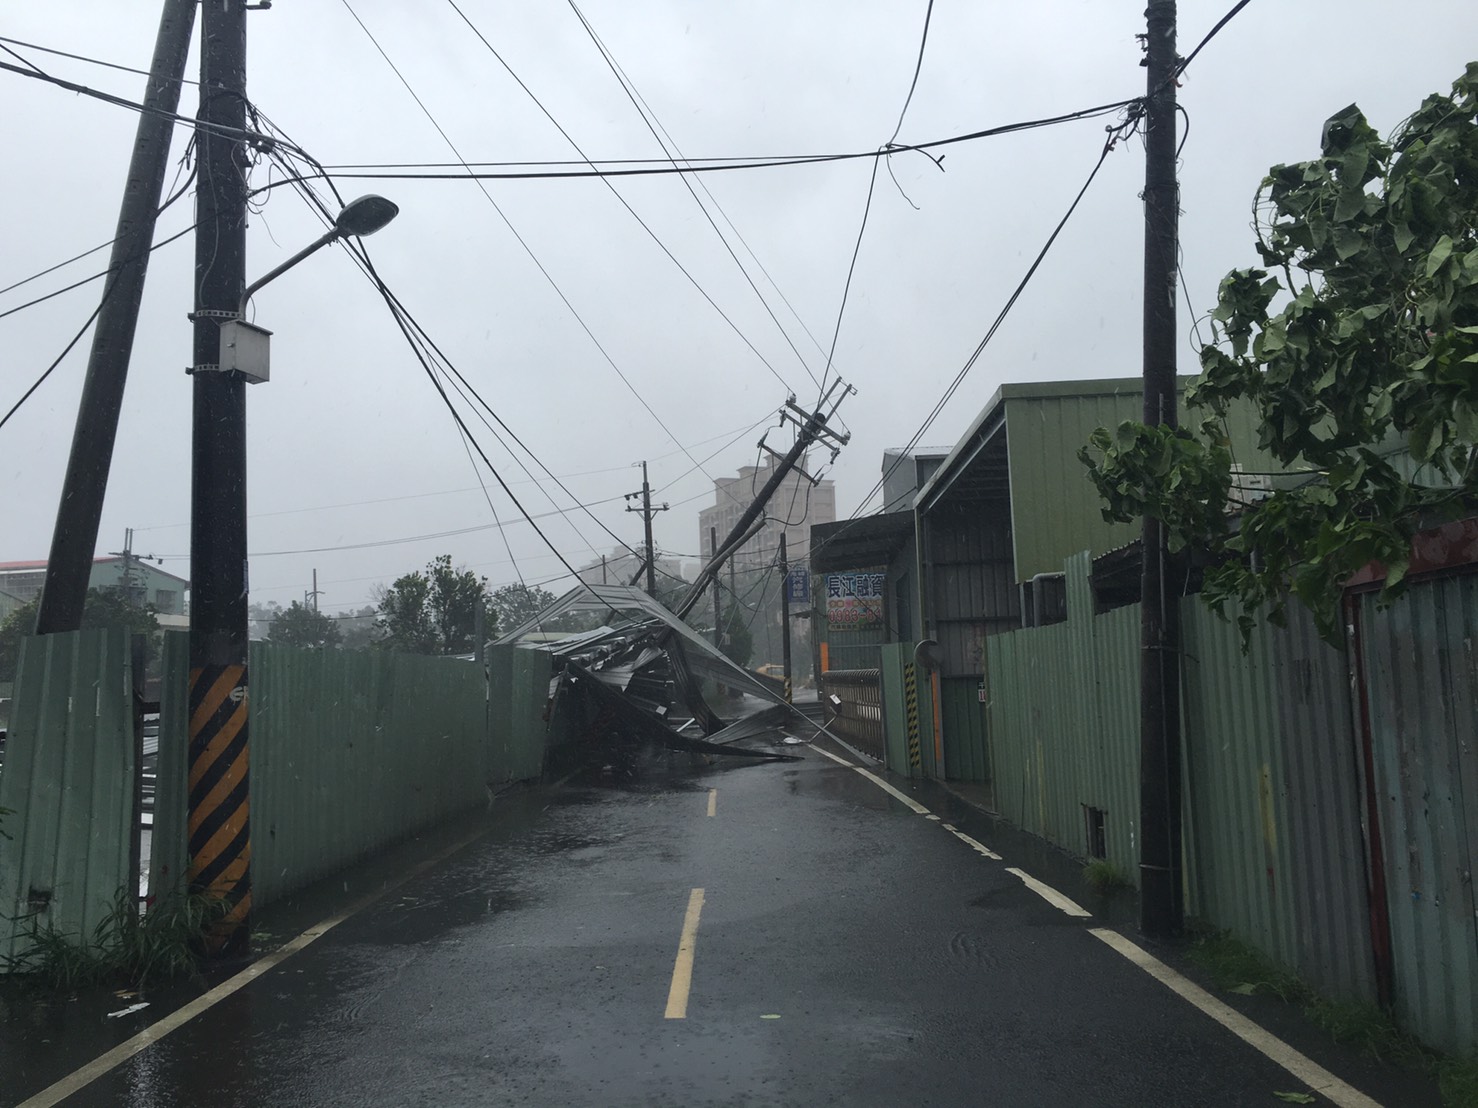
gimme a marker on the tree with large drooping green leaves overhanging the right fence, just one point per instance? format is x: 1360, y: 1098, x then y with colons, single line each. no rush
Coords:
x: 1356, y: 348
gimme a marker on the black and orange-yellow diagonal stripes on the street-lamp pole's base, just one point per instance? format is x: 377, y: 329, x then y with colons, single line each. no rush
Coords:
x: 219, y: 825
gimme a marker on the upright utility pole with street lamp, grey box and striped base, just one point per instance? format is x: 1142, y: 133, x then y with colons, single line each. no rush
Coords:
x: 219, y: 825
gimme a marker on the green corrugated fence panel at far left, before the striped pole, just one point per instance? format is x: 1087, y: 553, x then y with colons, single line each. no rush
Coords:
x: 70, y: 779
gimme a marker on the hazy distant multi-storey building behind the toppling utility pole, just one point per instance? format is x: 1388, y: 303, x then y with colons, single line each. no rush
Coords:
x: 794, y: 507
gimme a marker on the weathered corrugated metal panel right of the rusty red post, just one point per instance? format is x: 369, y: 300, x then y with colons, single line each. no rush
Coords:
x: 1421, y: 676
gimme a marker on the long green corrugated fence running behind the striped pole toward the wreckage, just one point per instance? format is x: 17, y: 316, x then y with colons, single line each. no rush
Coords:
x: 355, y: 750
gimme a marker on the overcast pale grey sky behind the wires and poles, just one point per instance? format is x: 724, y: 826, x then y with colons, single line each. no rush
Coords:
x: 351, y: 447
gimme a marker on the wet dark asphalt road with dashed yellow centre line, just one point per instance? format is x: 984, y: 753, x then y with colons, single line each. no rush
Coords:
x: 849, y: 952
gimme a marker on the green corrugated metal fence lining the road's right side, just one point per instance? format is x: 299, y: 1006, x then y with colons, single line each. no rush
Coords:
x: 1275, y: 838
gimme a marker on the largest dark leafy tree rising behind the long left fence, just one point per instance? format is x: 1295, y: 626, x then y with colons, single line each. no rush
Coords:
x: 435, y: 612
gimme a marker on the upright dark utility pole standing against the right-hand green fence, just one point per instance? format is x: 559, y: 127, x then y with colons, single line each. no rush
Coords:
x: 1161, y: 886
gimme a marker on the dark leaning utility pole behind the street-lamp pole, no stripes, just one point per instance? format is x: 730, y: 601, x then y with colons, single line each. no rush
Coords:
x: 69, y: 567
